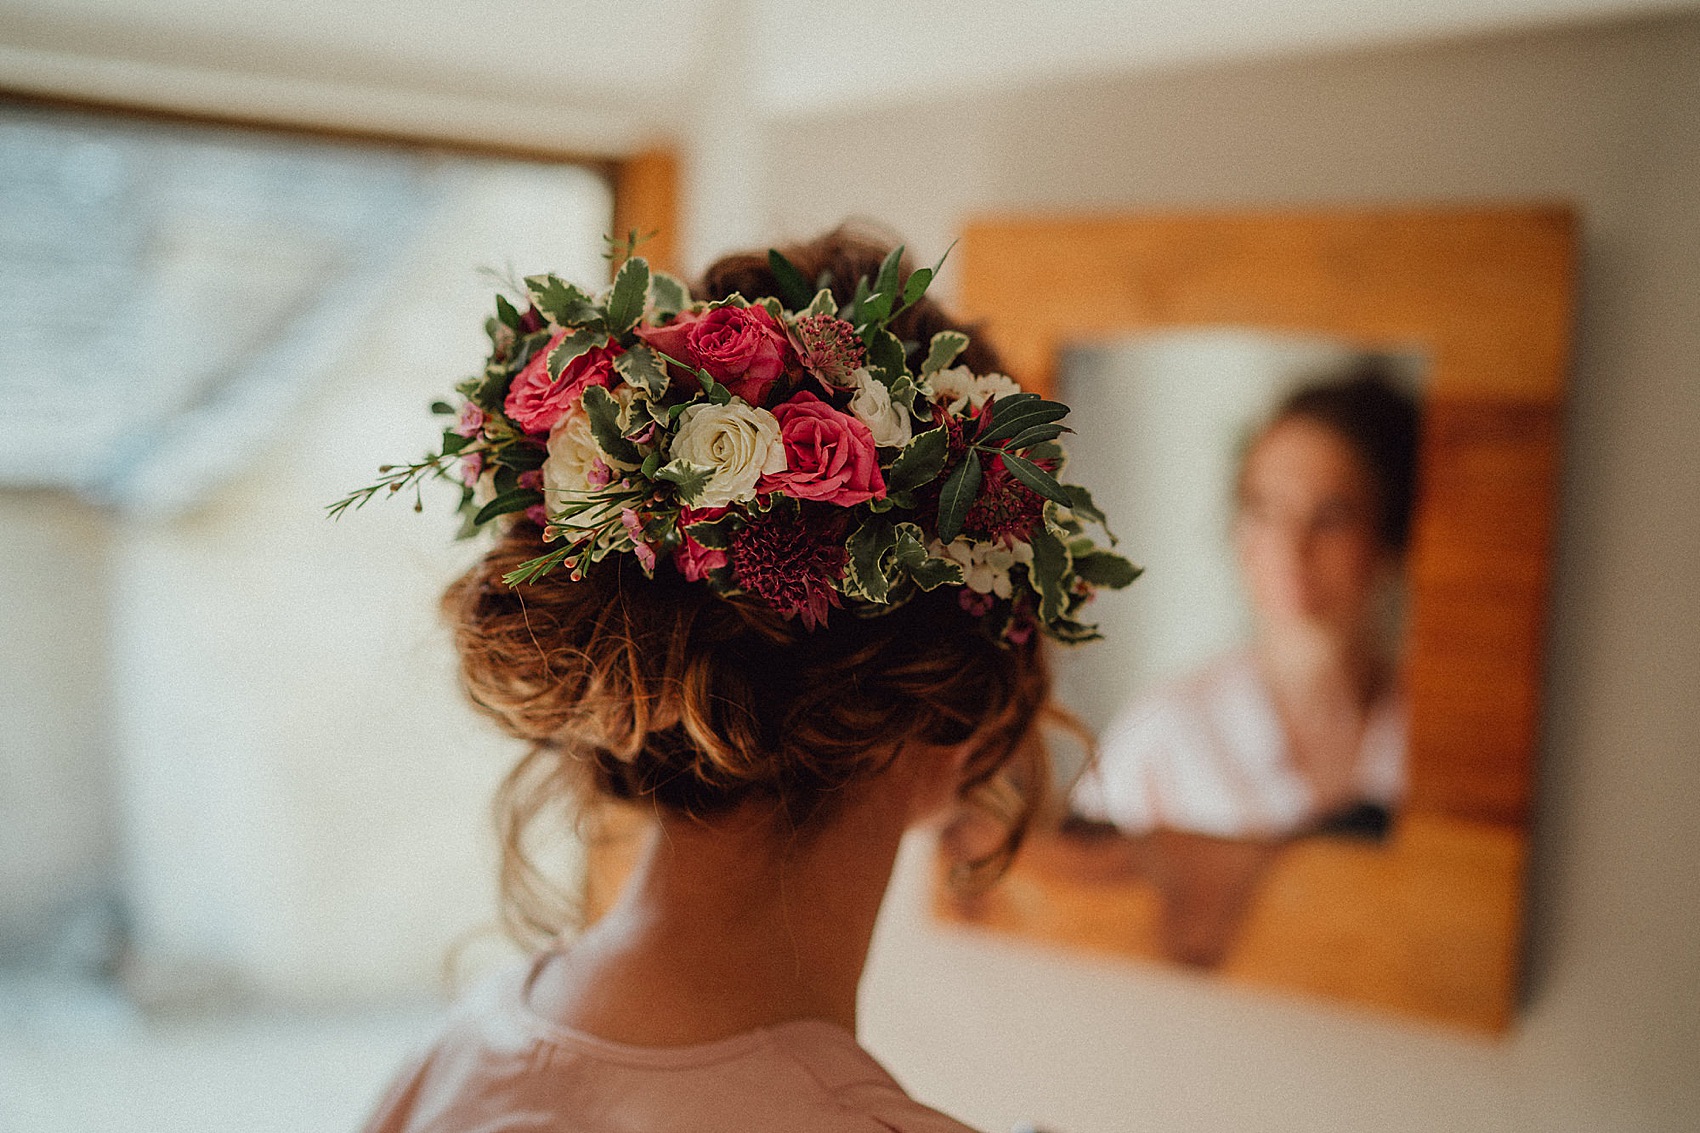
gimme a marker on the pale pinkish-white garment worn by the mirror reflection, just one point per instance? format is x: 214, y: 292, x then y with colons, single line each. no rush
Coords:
x: 1208, y: 754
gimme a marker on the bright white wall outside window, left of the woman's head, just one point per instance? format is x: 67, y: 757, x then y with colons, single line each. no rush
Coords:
x: 305, y: 787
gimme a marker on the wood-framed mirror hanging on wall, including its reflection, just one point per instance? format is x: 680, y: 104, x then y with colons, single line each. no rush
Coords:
x: 1315, y: 714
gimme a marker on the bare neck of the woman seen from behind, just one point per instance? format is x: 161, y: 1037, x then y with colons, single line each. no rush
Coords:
x: 735, y: 925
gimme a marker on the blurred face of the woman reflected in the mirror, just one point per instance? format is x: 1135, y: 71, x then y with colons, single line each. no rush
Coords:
x: 1306, y: 530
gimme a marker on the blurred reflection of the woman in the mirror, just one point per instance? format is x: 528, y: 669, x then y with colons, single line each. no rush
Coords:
x: 1301, y: 731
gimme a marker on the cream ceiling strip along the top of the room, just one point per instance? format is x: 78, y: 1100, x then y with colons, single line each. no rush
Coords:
x: 604, y: 72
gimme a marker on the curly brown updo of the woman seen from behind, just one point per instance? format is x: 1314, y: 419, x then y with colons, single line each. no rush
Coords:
x: 657, y: 692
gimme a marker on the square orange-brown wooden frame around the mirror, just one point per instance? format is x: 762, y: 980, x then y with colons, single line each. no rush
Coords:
x: 1429, y: 923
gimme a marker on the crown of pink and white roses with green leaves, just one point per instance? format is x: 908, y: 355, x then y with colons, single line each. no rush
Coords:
x: 785, y: 452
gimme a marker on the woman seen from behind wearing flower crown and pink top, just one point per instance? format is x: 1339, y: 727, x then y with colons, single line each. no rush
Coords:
x: 781, y: 743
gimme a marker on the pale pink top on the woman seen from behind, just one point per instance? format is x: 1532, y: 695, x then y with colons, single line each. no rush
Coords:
x: 499, y: 1068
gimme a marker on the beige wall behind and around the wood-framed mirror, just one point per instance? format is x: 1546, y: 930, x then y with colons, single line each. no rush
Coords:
x: 1606, y: 118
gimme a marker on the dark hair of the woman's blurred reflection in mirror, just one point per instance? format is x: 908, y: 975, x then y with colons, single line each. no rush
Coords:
x: 1381, y: 421
